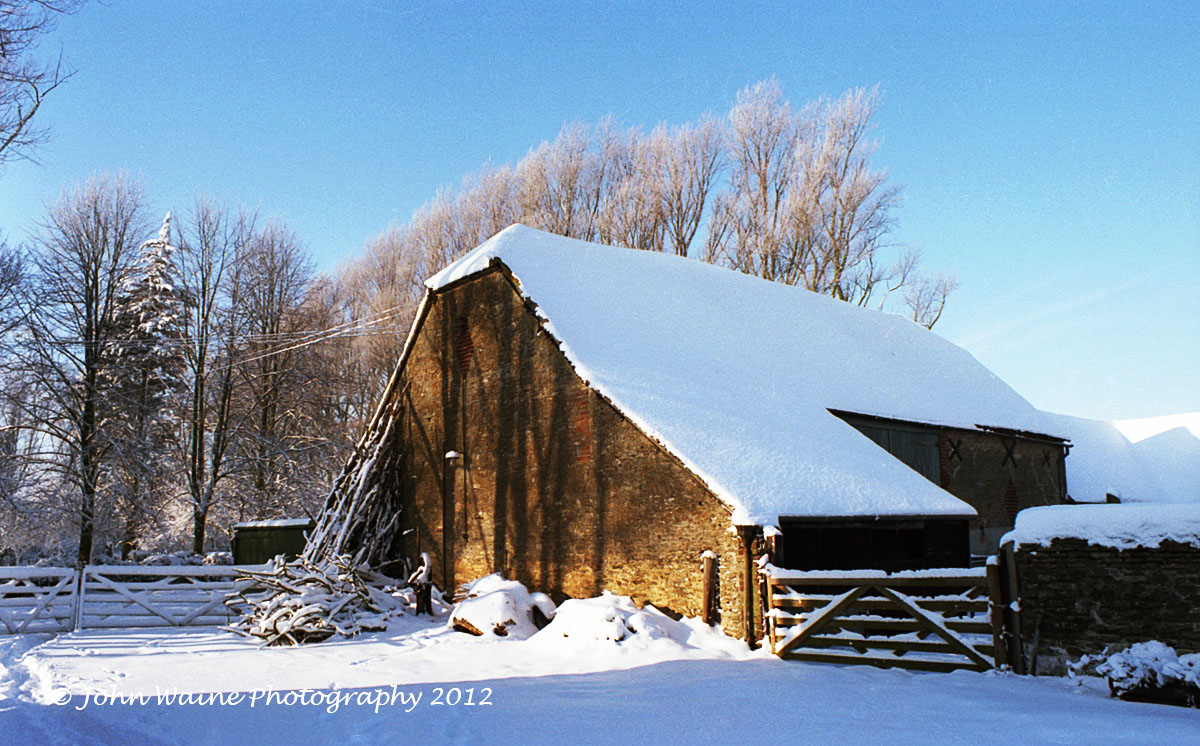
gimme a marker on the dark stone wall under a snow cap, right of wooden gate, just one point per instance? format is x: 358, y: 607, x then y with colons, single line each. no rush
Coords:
x: 1082, y: 599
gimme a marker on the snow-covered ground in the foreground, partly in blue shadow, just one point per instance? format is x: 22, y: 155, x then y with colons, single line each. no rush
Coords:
x: 421, y: 683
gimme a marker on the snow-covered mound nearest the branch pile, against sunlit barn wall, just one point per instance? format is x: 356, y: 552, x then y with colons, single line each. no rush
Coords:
x: 496, y: 607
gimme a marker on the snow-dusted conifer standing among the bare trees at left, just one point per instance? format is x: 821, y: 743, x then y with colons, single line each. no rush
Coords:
x: 145, y: 383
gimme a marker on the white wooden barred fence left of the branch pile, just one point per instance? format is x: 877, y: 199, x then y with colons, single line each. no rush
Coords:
x: 62, y: 599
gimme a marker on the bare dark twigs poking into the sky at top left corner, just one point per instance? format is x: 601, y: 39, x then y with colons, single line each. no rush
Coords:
x: 25, y: 81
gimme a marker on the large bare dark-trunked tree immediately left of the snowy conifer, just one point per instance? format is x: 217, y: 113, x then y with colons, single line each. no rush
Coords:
x: 82, y: 258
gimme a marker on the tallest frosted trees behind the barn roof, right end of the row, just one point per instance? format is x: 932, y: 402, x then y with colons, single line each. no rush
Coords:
x: 806, y: 207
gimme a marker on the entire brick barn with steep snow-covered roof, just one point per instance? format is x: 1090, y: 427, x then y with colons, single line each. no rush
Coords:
x: 585, y: 418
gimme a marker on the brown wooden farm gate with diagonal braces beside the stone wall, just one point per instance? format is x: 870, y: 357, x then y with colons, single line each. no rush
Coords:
x: 926, y: 619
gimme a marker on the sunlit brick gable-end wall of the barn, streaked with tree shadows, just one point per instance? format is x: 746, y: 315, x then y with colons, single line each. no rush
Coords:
x: 556, y: 489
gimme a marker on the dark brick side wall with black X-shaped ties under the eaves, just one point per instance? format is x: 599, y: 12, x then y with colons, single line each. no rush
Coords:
x: 977, y: 468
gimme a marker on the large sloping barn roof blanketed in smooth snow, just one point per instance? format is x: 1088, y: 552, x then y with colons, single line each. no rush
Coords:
x: 736, y: 376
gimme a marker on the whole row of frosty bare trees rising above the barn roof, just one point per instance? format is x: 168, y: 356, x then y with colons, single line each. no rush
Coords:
x: 789, y: 195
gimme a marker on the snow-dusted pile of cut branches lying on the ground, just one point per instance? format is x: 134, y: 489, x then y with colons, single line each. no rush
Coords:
x: 307, y: 603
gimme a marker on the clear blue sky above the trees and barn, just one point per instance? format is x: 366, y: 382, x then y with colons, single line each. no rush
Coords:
x: 1051, y: 153
